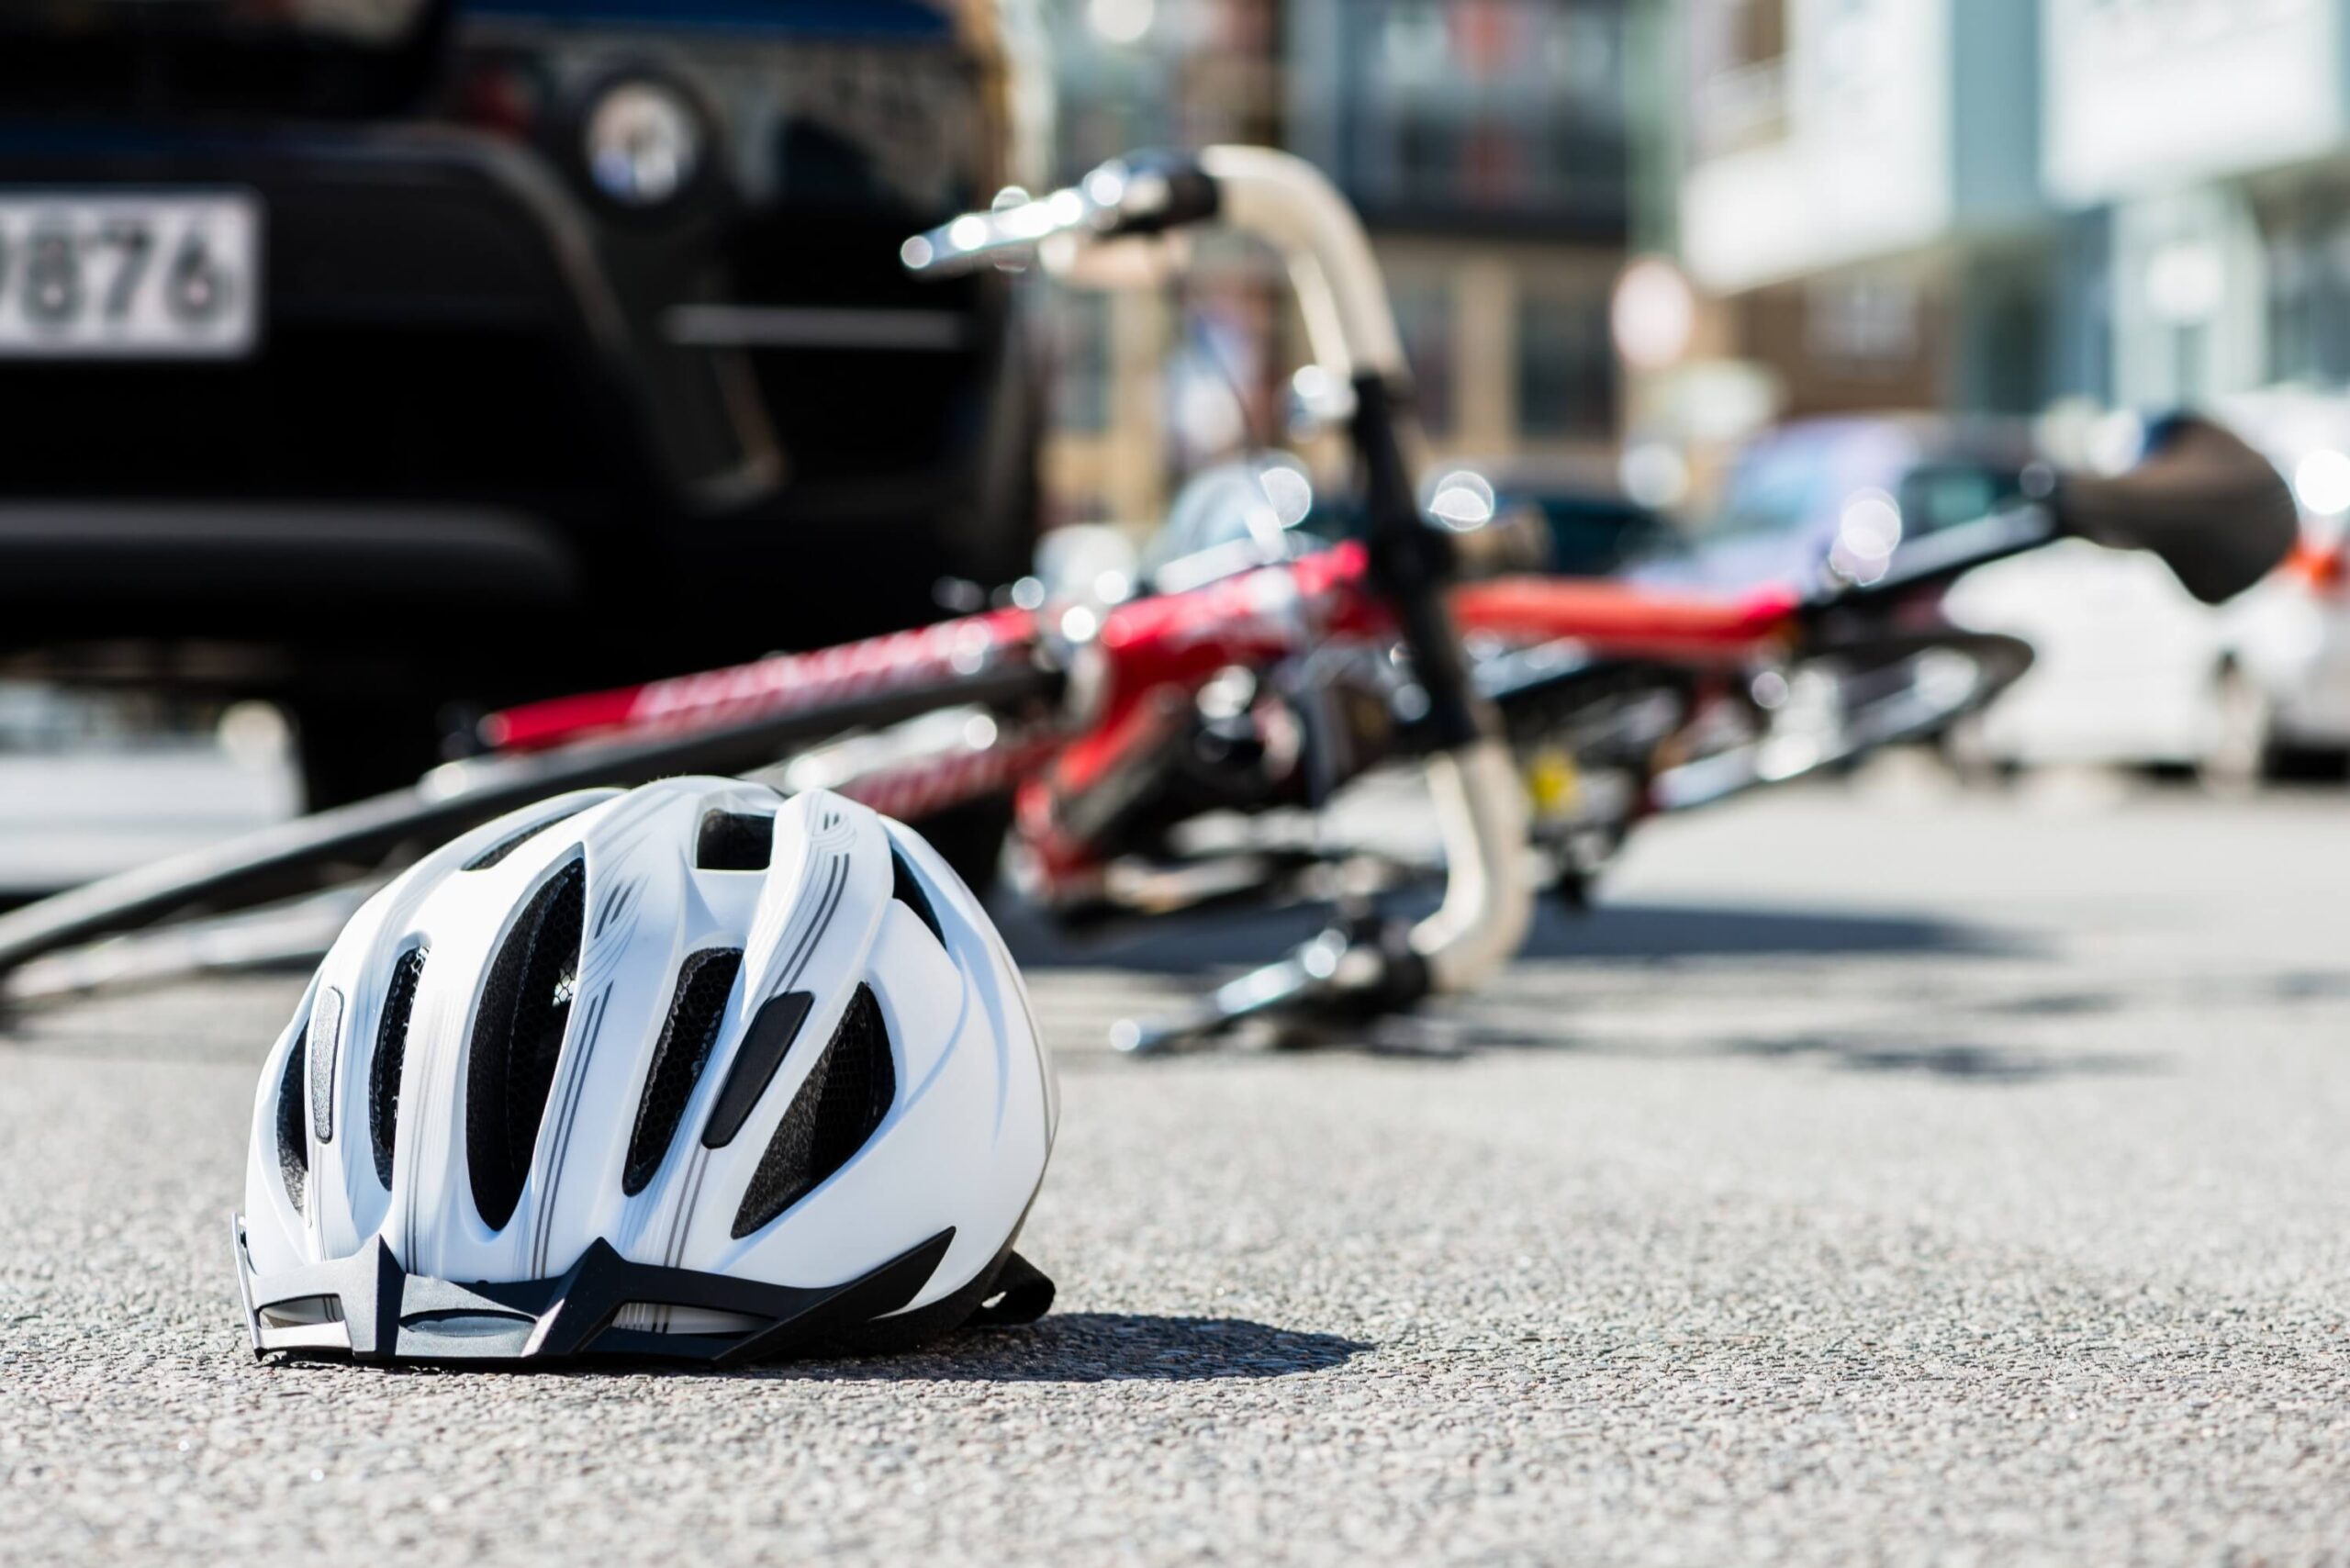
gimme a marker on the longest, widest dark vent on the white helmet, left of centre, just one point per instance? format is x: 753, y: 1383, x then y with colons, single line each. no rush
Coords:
x: 518, y: 1036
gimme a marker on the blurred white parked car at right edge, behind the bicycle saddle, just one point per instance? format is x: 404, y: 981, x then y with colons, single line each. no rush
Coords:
x: 2133, y: 671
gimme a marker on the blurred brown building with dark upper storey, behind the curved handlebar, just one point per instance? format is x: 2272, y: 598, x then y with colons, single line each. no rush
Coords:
x: 1482, y: 140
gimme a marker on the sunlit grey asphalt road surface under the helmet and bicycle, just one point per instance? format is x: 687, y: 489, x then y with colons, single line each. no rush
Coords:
x: 1879, y: 1181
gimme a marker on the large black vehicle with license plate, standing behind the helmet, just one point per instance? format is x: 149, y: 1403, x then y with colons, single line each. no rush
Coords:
x: 391, y: 356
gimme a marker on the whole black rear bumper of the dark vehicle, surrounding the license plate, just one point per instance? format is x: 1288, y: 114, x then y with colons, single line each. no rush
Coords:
x: 462, y: 401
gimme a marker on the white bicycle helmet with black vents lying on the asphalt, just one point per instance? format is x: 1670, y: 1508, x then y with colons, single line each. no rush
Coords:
x: 687, y: 1071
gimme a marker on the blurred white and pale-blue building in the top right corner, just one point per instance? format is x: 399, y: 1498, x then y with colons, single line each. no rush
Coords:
x: 2201, y: 156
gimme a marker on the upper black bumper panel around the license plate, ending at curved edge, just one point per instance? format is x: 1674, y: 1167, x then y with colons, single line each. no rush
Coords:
x: 434, y: 323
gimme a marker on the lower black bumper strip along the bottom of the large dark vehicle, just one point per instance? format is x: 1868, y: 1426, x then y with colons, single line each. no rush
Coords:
x: 474, y: 601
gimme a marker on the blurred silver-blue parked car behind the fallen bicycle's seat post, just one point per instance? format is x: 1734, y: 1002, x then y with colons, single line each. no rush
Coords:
x: 1818, y: 488
